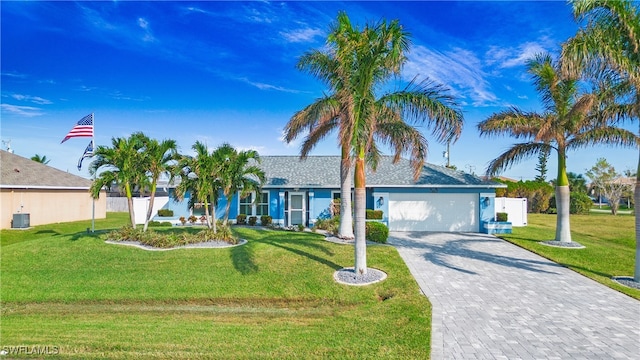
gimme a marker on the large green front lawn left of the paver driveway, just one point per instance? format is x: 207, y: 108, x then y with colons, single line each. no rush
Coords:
x: 272, y: 298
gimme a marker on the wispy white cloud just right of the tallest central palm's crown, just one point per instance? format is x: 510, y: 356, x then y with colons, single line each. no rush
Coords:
x: 458, y: 69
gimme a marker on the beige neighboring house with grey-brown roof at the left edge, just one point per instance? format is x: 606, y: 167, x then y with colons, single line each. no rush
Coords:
x: 42, y: 194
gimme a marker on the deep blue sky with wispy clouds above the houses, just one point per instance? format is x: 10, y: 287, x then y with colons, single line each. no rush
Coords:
x: 225, y: 72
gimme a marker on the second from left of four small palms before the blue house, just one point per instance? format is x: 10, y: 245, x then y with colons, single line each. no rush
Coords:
x: 158, y: 159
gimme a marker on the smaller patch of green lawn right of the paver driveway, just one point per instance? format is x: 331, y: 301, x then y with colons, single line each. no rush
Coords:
x: 609, y: 240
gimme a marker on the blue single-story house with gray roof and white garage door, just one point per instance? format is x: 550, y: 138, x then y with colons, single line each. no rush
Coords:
x: 301, y: 191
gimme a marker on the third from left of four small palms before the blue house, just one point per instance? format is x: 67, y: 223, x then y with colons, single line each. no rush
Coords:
x: 199, y: 177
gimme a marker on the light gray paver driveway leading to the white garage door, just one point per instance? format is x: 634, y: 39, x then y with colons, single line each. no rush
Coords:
x: 494, y: 300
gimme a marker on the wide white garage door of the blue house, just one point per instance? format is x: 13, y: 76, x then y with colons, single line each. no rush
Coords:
x: 433, y: 212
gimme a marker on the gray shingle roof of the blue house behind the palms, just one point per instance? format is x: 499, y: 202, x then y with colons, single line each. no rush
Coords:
x: 324, y: 171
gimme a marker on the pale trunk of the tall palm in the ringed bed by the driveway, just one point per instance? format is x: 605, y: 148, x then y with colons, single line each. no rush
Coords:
x: 359, y: 209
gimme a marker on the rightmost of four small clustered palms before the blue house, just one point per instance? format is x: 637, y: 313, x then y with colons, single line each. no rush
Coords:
x: 238, y: 173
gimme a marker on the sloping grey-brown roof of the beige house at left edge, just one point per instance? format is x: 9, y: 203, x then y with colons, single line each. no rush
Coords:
x: 18, y: 172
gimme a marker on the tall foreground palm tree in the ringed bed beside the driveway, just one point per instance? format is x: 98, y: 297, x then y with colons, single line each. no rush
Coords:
x: 362, y: 61
